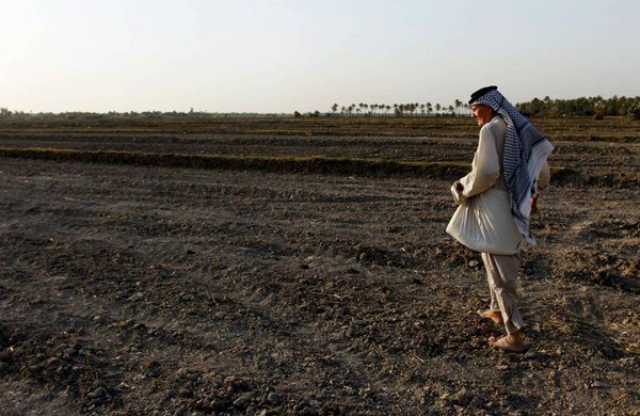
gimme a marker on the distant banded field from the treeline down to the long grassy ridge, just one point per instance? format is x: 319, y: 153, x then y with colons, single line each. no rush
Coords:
x: 587, y: 150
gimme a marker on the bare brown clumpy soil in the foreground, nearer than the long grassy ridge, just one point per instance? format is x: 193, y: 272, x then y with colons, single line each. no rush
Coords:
x: 145, y: 291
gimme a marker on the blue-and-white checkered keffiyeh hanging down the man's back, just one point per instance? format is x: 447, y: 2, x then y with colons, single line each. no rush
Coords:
x: 525, y: 151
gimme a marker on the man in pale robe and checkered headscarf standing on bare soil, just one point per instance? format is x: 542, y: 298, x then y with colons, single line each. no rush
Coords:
x: 510, y: 169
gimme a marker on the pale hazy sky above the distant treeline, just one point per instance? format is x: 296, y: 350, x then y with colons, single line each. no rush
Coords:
x: 286, y: 55
